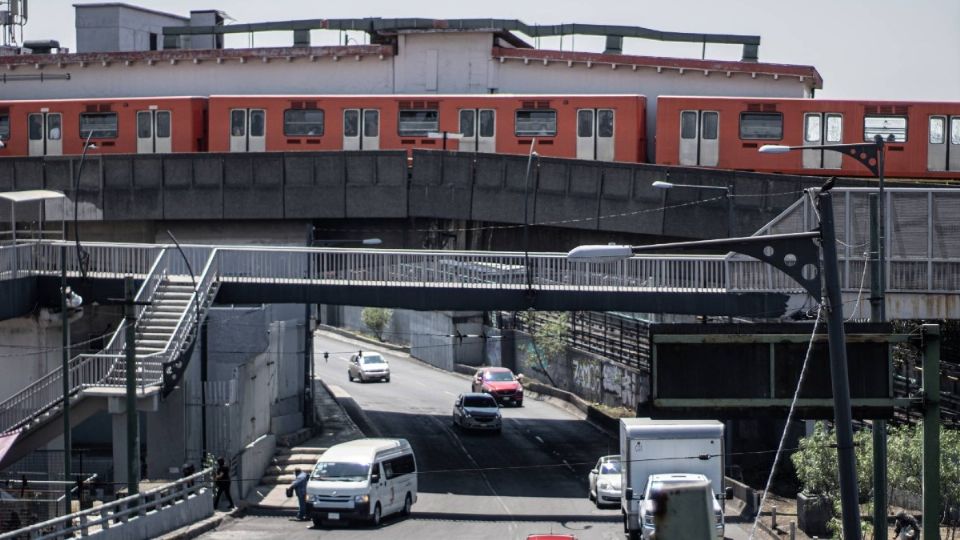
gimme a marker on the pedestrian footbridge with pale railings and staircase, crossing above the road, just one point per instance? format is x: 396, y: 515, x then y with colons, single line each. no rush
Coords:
x: 175, y: 287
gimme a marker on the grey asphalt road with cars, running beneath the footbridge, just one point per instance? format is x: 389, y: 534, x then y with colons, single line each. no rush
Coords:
x: 529, y: 479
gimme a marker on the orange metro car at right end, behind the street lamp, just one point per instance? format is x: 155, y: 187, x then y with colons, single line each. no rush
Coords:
x: 923, y: 138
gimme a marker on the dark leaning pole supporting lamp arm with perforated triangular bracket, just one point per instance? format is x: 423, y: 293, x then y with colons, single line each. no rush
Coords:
x: 850, y: 511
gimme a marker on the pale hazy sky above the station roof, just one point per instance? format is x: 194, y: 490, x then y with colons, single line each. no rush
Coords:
x: 863, y: 49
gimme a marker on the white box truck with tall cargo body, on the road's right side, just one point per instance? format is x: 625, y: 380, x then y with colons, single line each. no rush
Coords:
x: 666, y: 449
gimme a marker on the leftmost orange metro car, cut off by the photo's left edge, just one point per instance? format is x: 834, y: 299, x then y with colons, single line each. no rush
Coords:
x: 115, y: 126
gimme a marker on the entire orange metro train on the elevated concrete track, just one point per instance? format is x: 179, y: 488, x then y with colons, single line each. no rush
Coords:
x: 723, y: 132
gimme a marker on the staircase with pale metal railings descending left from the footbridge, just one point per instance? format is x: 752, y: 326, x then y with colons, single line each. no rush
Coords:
x: 169, y: 312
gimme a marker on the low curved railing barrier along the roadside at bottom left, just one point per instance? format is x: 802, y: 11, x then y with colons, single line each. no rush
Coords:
x: 118, y: 512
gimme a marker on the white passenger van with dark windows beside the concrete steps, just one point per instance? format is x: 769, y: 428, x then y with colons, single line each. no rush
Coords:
x: 364, y: 479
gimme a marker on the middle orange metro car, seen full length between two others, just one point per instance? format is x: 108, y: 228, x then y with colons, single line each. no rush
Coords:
x: 595, y: 127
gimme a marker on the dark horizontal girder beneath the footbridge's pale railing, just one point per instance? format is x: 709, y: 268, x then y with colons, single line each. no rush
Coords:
x: 43, y: 290
